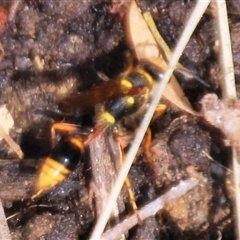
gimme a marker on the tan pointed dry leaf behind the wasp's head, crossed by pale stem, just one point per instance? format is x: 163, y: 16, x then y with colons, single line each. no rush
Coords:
x: 142, y: 41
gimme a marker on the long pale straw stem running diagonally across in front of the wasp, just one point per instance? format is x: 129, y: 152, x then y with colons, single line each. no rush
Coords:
x: 187, y: 32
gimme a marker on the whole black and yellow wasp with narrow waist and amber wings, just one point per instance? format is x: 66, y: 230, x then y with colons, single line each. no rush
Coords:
x: 118, y: 98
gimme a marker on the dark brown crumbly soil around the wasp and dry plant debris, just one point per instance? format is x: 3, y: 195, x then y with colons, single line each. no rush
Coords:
x: 51, y: 49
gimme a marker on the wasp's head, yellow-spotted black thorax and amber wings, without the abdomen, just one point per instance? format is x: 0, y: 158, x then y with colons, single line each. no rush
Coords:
x: 122, y: 97
